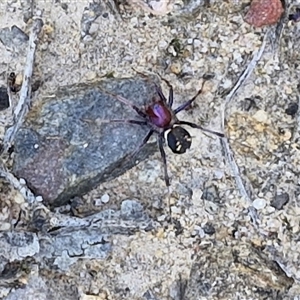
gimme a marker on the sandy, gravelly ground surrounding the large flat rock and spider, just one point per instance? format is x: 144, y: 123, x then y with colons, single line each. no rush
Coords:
x: 131, y: 237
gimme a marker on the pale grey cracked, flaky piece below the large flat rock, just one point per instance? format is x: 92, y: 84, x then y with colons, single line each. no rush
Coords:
x: 64, y: 240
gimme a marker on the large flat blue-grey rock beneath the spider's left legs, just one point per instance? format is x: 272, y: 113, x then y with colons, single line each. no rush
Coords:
x: 63, y: 150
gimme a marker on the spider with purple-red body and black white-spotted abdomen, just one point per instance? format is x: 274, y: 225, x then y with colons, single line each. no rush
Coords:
x: 159, y: 117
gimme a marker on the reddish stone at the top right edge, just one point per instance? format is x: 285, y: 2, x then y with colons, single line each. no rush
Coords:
x: 264, y: 12
